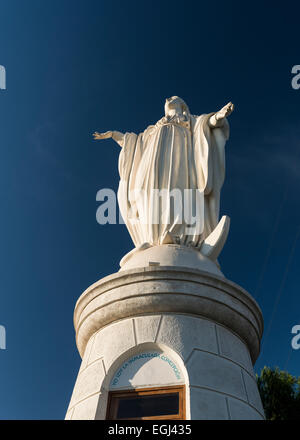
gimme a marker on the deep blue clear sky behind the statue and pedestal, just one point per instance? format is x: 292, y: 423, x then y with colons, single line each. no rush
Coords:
x: 74, y: 67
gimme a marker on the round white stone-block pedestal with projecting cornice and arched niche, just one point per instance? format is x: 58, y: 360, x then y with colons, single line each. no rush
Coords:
x: 164, y: 326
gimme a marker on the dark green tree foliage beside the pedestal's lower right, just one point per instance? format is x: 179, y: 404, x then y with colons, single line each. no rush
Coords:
x: 280, y: 394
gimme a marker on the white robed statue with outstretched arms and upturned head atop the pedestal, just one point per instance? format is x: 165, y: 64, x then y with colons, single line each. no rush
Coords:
x: 181, y: 151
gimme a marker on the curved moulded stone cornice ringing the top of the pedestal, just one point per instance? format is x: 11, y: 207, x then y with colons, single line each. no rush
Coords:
x: 168, y: 289
